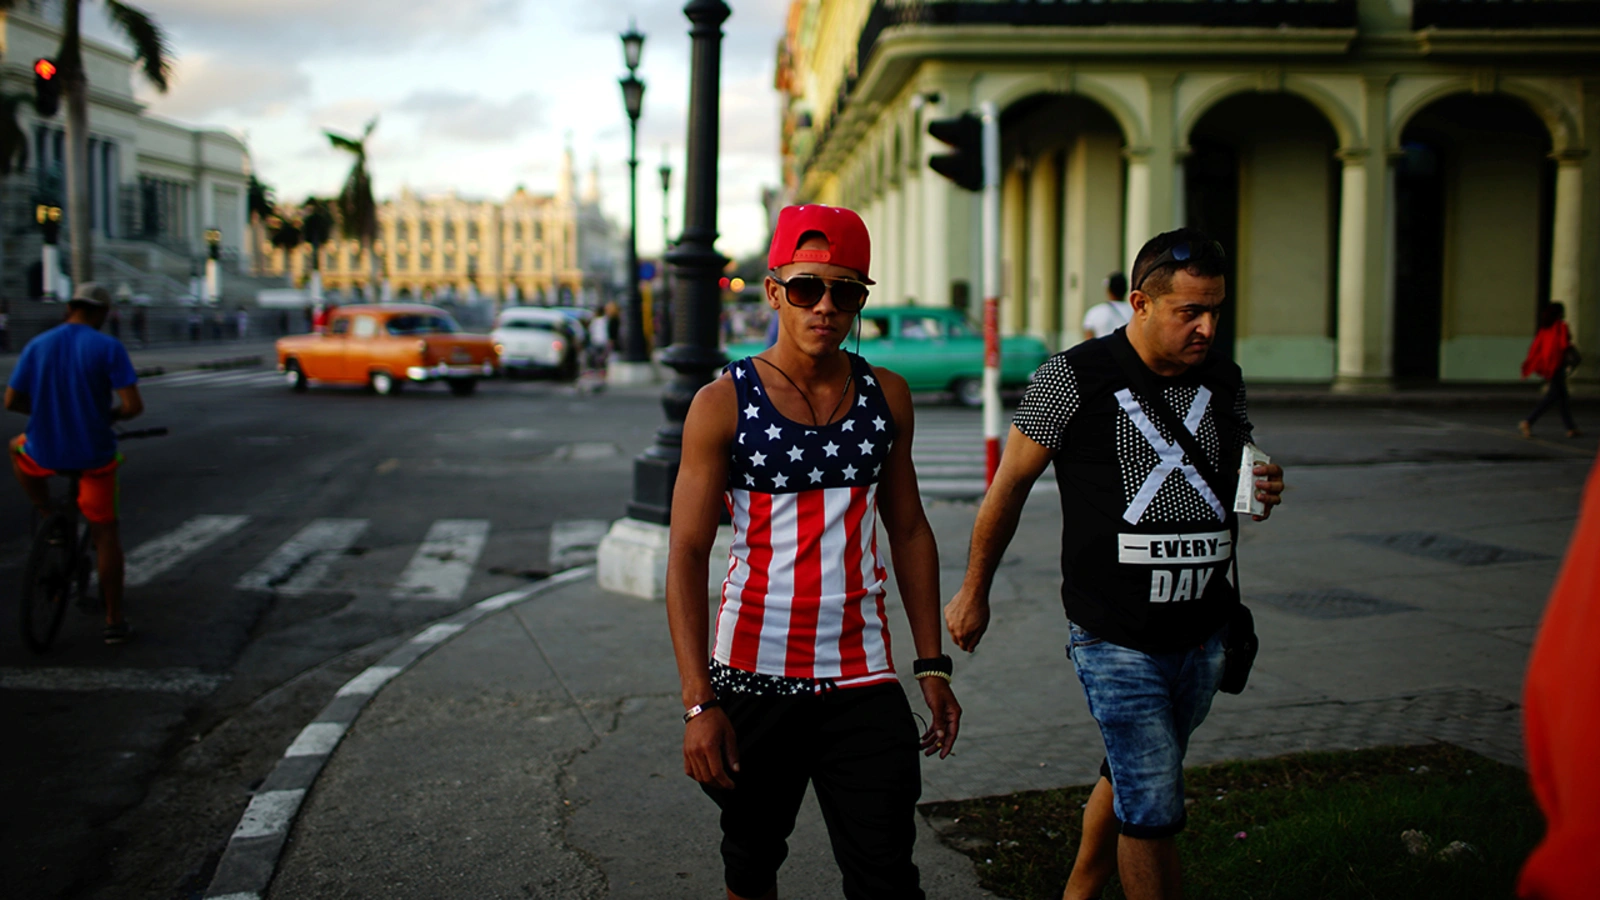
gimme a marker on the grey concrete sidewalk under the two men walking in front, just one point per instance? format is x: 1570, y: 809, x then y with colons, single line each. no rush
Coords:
x: 538, y: 752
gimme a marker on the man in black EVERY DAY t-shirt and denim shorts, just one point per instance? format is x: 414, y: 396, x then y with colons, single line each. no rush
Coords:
x: 1146, y: 547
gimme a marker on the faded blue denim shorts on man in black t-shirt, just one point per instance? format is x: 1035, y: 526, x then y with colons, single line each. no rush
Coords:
x: 1146, y: 707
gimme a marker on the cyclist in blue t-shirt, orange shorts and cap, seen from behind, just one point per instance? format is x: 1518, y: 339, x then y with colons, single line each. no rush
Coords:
x: 65, y: 382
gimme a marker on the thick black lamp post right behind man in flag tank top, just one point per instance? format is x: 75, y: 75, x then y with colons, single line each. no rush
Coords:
x: 695, y: 353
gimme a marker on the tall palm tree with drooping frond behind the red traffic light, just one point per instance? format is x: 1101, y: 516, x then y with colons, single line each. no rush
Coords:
x: 150, y: 50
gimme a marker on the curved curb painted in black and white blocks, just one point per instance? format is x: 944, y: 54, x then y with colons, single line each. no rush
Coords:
x: 254, y: 851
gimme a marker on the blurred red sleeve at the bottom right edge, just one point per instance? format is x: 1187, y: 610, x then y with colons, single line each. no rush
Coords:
x: 1561, y: 721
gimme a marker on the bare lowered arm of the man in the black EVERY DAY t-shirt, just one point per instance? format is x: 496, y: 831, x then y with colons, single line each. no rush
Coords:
x: 967, y: 617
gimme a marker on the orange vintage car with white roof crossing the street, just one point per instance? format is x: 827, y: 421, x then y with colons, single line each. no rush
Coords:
x: 386, y: 347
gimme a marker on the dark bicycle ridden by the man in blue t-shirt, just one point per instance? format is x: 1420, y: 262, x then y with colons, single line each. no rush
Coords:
x: 62, y: 563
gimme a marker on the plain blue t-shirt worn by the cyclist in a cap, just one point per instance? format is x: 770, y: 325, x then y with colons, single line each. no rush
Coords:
x: 70, y: 374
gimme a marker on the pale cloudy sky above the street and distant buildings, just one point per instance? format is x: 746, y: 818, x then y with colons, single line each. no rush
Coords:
x: 474, y: 95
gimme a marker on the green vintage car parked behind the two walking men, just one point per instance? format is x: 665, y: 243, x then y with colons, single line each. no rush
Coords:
x: 935, y: 350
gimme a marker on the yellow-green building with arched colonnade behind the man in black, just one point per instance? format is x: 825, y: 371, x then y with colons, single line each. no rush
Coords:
x: 1401, y: 185
